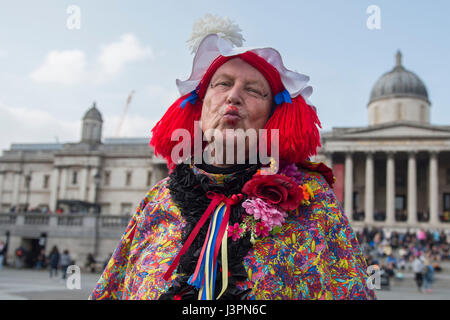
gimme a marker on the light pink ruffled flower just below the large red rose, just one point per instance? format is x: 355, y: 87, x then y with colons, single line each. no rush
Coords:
x: 269, y: 215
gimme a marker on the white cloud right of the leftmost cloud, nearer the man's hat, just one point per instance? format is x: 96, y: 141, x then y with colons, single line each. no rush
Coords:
x: 115, y: 55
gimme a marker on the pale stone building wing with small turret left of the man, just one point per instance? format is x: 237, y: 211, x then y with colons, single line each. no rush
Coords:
x: 114, y: 174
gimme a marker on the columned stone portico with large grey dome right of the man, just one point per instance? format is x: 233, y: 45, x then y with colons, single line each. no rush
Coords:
x: 395, y: 171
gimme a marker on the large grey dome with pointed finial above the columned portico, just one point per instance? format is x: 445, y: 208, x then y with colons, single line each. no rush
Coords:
x: 399, y: 83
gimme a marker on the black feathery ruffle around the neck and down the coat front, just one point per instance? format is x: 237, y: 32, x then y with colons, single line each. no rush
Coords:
x: 188, y: 189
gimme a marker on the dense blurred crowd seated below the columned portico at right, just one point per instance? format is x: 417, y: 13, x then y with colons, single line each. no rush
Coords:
x: 421, y: 252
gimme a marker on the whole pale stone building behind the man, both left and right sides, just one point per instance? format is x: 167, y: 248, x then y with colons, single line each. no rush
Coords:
x: 393, y: 172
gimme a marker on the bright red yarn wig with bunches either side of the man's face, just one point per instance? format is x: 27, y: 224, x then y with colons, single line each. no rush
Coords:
x: 296, y: 121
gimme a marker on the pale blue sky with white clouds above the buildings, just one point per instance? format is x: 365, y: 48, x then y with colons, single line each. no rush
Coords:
x: 52, y: 67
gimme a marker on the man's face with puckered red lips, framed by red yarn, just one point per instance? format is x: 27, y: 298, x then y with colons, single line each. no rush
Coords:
x: 238, y: 97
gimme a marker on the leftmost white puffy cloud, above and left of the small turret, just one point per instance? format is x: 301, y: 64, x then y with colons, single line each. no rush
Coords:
x: 65, y: 67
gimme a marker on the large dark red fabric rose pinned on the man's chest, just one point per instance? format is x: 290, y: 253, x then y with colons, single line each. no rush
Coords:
x: 275, y: 189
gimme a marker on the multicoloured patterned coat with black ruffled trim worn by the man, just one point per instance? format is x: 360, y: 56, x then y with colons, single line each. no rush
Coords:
x: 315, y: 254
